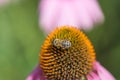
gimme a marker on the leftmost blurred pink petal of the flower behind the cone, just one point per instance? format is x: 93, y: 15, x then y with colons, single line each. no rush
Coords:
x: 48, y: 14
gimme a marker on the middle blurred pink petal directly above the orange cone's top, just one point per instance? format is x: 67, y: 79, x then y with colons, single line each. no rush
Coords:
x: 67, y: 14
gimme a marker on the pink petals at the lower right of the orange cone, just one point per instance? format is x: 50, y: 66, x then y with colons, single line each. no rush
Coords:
x: 100, y: 73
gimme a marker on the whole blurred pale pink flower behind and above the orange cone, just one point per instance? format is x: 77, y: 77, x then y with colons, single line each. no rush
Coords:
x: 81, y: 13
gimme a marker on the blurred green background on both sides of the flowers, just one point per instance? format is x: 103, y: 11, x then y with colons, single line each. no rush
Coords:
x: 21, y: 38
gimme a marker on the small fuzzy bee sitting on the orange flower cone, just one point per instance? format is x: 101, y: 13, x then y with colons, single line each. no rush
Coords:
x: 62, y: 43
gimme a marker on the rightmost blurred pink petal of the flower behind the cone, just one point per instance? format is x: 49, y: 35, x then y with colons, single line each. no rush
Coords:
x: 88, y: 13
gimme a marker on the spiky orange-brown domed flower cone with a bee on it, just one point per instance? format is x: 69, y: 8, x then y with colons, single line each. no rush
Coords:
x: 66, y: 54
